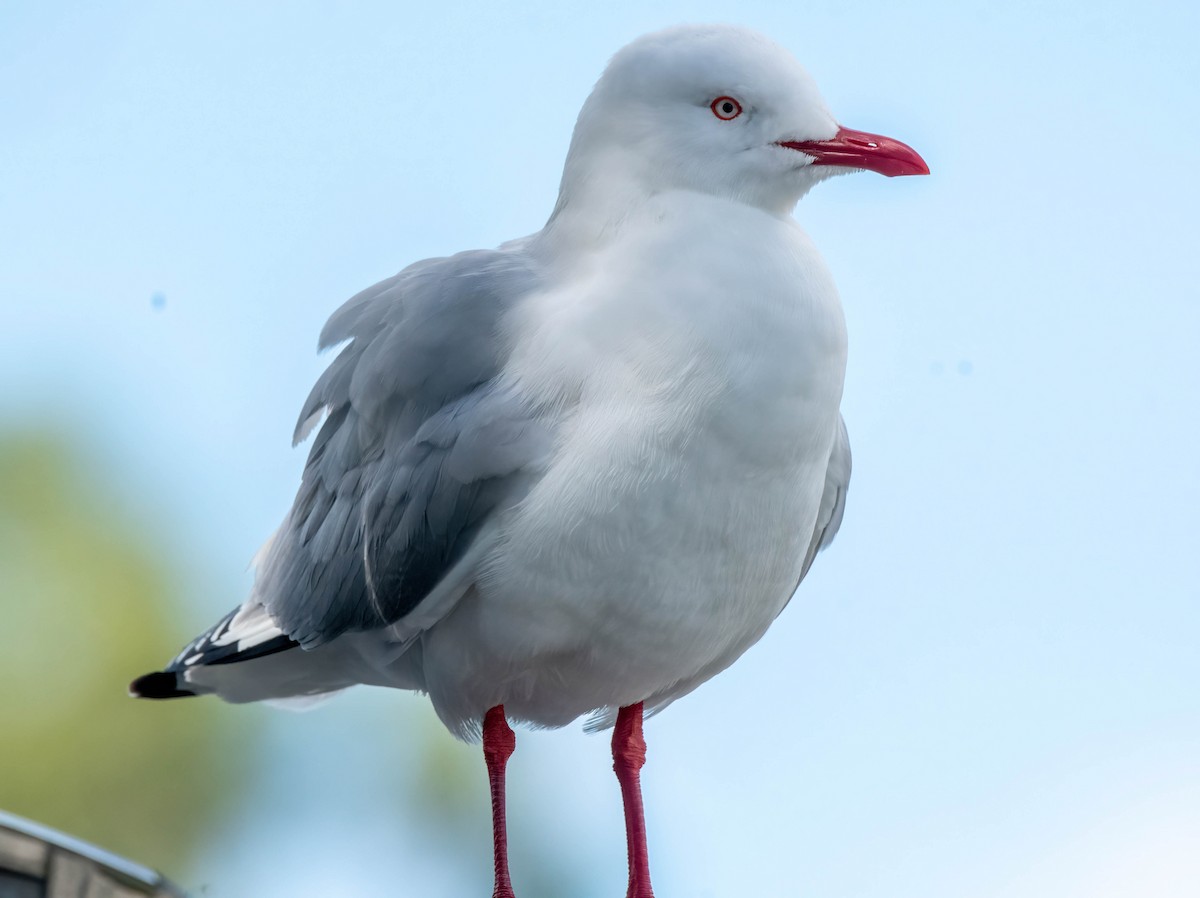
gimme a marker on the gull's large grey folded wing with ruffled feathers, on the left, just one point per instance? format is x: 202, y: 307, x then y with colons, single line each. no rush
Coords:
x: 421, y: 446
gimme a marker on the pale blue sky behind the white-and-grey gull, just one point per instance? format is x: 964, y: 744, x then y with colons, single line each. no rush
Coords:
x: 987, y: 687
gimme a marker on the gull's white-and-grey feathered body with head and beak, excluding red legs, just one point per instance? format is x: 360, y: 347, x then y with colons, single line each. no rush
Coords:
x: 590, y: 469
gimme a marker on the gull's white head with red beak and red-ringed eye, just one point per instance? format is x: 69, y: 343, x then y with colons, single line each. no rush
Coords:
x: 716, y: 110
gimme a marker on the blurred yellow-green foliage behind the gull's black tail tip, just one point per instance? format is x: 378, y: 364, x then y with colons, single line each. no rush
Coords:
x: 85, y: 606
